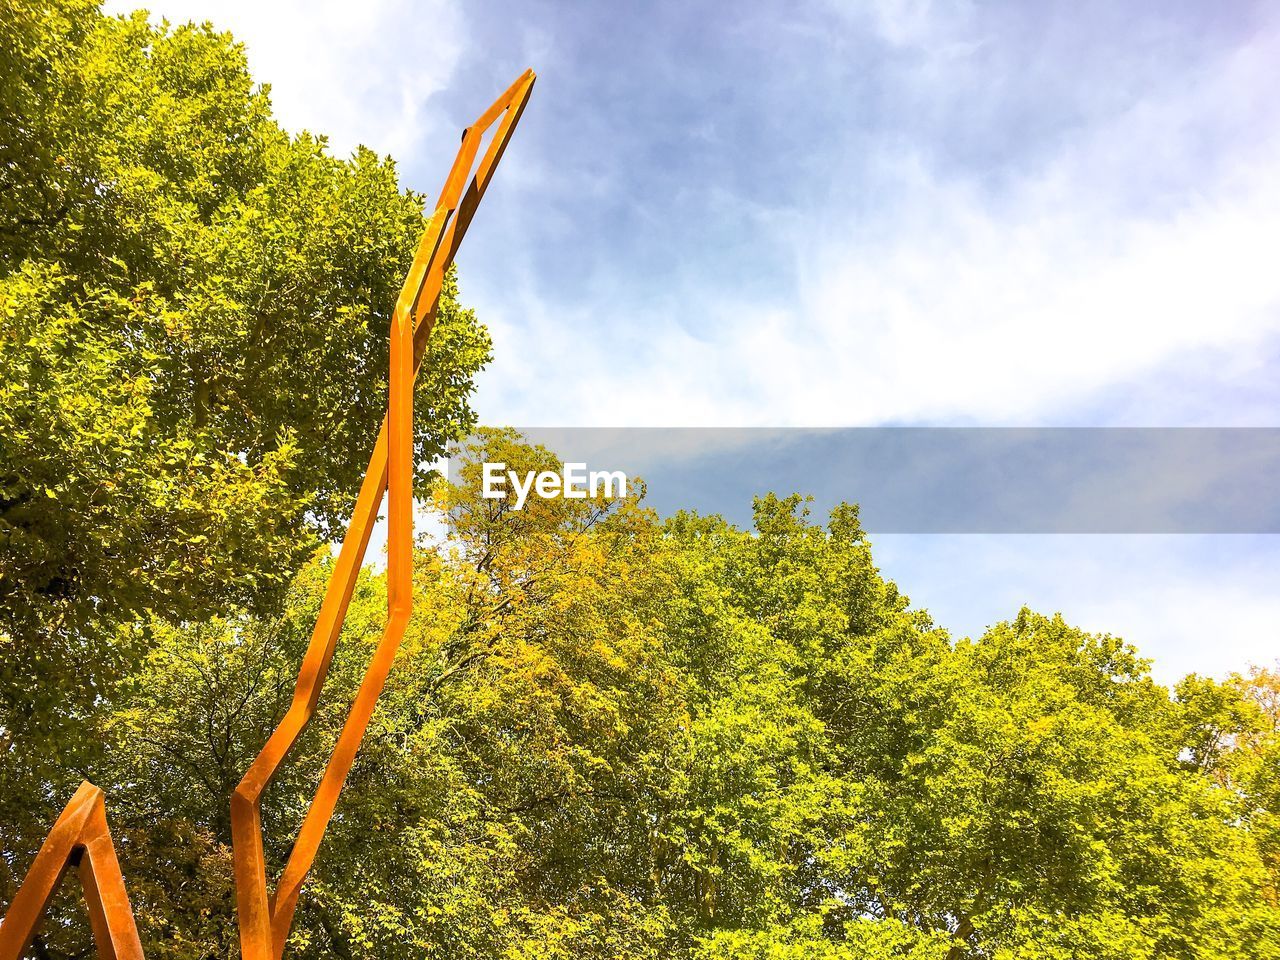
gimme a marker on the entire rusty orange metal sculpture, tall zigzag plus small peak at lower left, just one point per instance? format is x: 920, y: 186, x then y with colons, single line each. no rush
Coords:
x: 81, y: 838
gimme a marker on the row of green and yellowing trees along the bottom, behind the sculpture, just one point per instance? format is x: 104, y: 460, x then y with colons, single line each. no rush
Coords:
x: 610, y: 737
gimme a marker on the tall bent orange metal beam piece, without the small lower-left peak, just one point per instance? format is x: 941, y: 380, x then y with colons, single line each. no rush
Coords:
x: 266, y: 920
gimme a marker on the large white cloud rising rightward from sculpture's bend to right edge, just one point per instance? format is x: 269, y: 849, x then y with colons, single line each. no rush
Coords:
x: 949, y: 298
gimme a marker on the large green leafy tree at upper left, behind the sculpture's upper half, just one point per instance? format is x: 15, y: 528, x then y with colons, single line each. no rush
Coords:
x: 194, y: 314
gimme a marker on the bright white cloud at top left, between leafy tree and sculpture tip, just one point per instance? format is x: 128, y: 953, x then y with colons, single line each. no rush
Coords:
x: 360, y: 74
